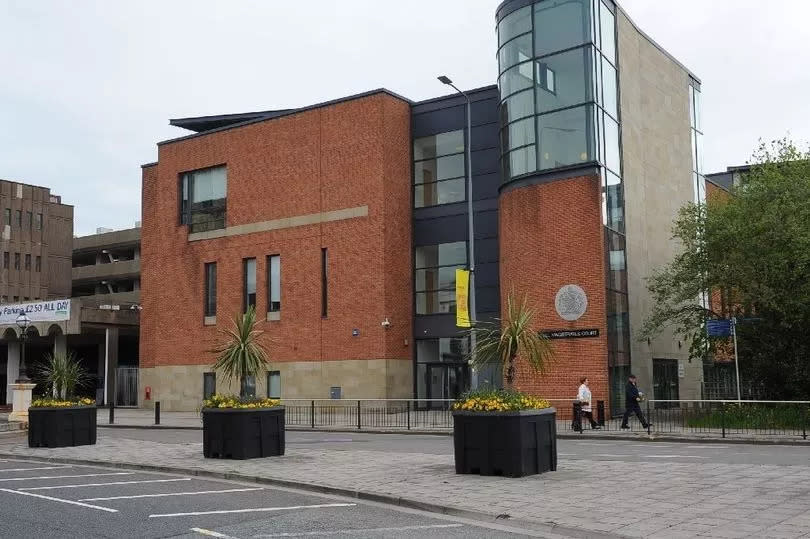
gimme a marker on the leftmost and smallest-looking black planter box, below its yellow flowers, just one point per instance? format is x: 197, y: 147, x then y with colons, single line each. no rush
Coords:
x: 61, y: 427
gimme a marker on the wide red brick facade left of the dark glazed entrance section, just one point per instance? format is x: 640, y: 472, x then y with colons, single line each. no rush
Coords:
x: 346, y: 155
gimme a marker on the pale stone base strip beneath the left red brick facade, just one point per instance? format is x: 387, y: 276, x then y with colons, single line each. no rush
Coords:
x: 180, y: 387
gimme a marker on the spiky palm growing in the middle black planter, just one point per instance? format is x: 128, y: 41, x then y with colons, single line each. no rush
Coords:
x: 241, y: 353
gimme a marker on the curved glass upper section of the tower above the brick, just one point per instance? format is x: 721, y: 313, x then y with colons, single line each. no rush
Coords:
x: 559, y: 93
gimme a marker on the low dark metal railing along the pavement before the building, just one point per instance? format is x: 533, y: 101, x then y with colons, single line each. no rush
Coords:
x: 717, y: 418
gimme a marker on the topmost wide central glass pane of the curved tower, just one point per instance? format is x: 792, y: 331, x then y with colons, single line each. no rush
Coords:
x: 560, y: 25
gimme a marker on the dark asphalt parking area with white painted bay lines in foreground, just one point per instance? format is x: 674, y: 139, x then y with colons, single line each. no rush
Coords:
x: 55, y: 500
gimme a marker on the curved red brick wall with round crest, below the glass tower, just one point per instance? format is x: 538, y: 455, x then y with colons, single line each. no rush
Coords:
x: 551, y: 235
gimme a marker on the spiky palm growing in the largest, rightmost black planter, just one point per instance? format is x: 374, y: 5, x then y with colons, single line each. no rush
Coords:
x: 502, y: 341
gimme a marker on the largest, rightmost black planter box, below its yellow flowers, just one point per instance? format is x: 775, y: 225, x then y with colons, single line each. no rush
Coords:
x: 512, y: 444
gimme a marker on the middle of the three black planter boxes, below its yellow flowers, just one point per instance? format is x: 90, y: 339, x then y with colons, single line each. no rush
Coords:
x: 249, y: 433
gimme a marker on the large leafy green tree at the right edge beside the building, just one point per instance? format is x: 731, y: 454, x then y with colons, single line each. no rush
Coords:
x: 753, y: 251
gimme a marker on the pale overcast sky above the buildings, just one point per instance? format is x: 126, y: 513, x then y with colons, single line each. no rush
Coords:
x: 87, y: 87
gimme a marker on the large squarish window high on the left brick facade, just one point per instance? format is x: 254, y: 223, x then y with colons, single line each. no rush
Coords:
x: 203, y: 199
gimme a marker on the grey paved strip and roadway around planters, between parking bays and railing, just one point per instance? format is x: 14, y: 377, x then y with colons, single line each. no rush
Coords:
x: 601, y: 488
